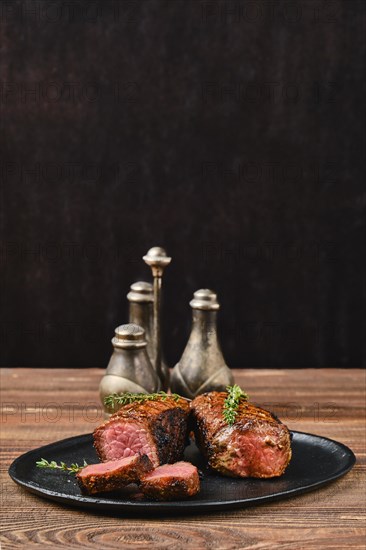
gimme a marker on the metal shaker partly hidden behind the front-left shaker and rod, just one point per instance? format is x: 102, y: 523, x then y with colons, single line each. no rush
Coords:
x: 141, y: 312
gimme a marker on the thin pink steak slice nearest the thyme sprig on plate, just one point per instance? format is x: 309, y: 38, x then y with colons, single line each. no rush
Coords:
x: 113, y: 475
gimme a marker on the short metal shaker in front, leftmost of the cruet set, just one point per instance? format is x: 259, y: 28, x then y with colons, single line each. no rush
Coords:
x: 129, y: 368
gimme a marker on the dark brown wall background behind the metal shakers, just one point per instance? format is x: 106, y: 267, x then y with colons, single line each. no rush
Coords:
x: 230, y: 133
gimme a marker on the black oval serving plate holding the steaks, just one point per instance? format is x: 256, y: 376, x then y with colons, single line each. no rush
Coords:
x: 315, y: 462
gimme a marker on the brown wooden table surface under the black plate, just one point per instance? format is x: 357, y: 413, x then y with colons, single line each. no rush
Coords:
x: 40, y: 406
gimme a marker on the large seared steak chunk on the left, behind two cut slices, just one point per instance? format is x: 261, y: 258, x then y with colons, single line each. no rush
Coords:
x: 155, y: 428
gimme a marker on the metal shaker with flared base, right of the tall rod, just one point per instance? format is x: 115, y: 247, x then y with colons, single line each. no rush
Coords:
x: 202, y: 367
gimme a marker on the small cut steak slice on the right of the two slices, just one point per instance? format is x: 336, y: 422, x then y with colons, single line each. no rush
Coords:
x: 171, y: 482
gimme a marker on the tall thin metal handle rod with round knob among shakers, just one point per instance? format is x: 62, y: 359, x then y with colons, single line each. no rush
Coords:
x: 158, y: 260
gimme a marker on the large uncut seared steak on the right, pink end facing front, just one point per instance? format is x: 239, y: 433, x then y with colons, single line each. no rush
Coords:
x: 256, y: 445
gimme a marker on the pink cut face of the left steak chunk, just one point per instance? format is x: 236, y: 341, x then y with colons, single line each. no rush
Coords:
x: 123, y: 439
